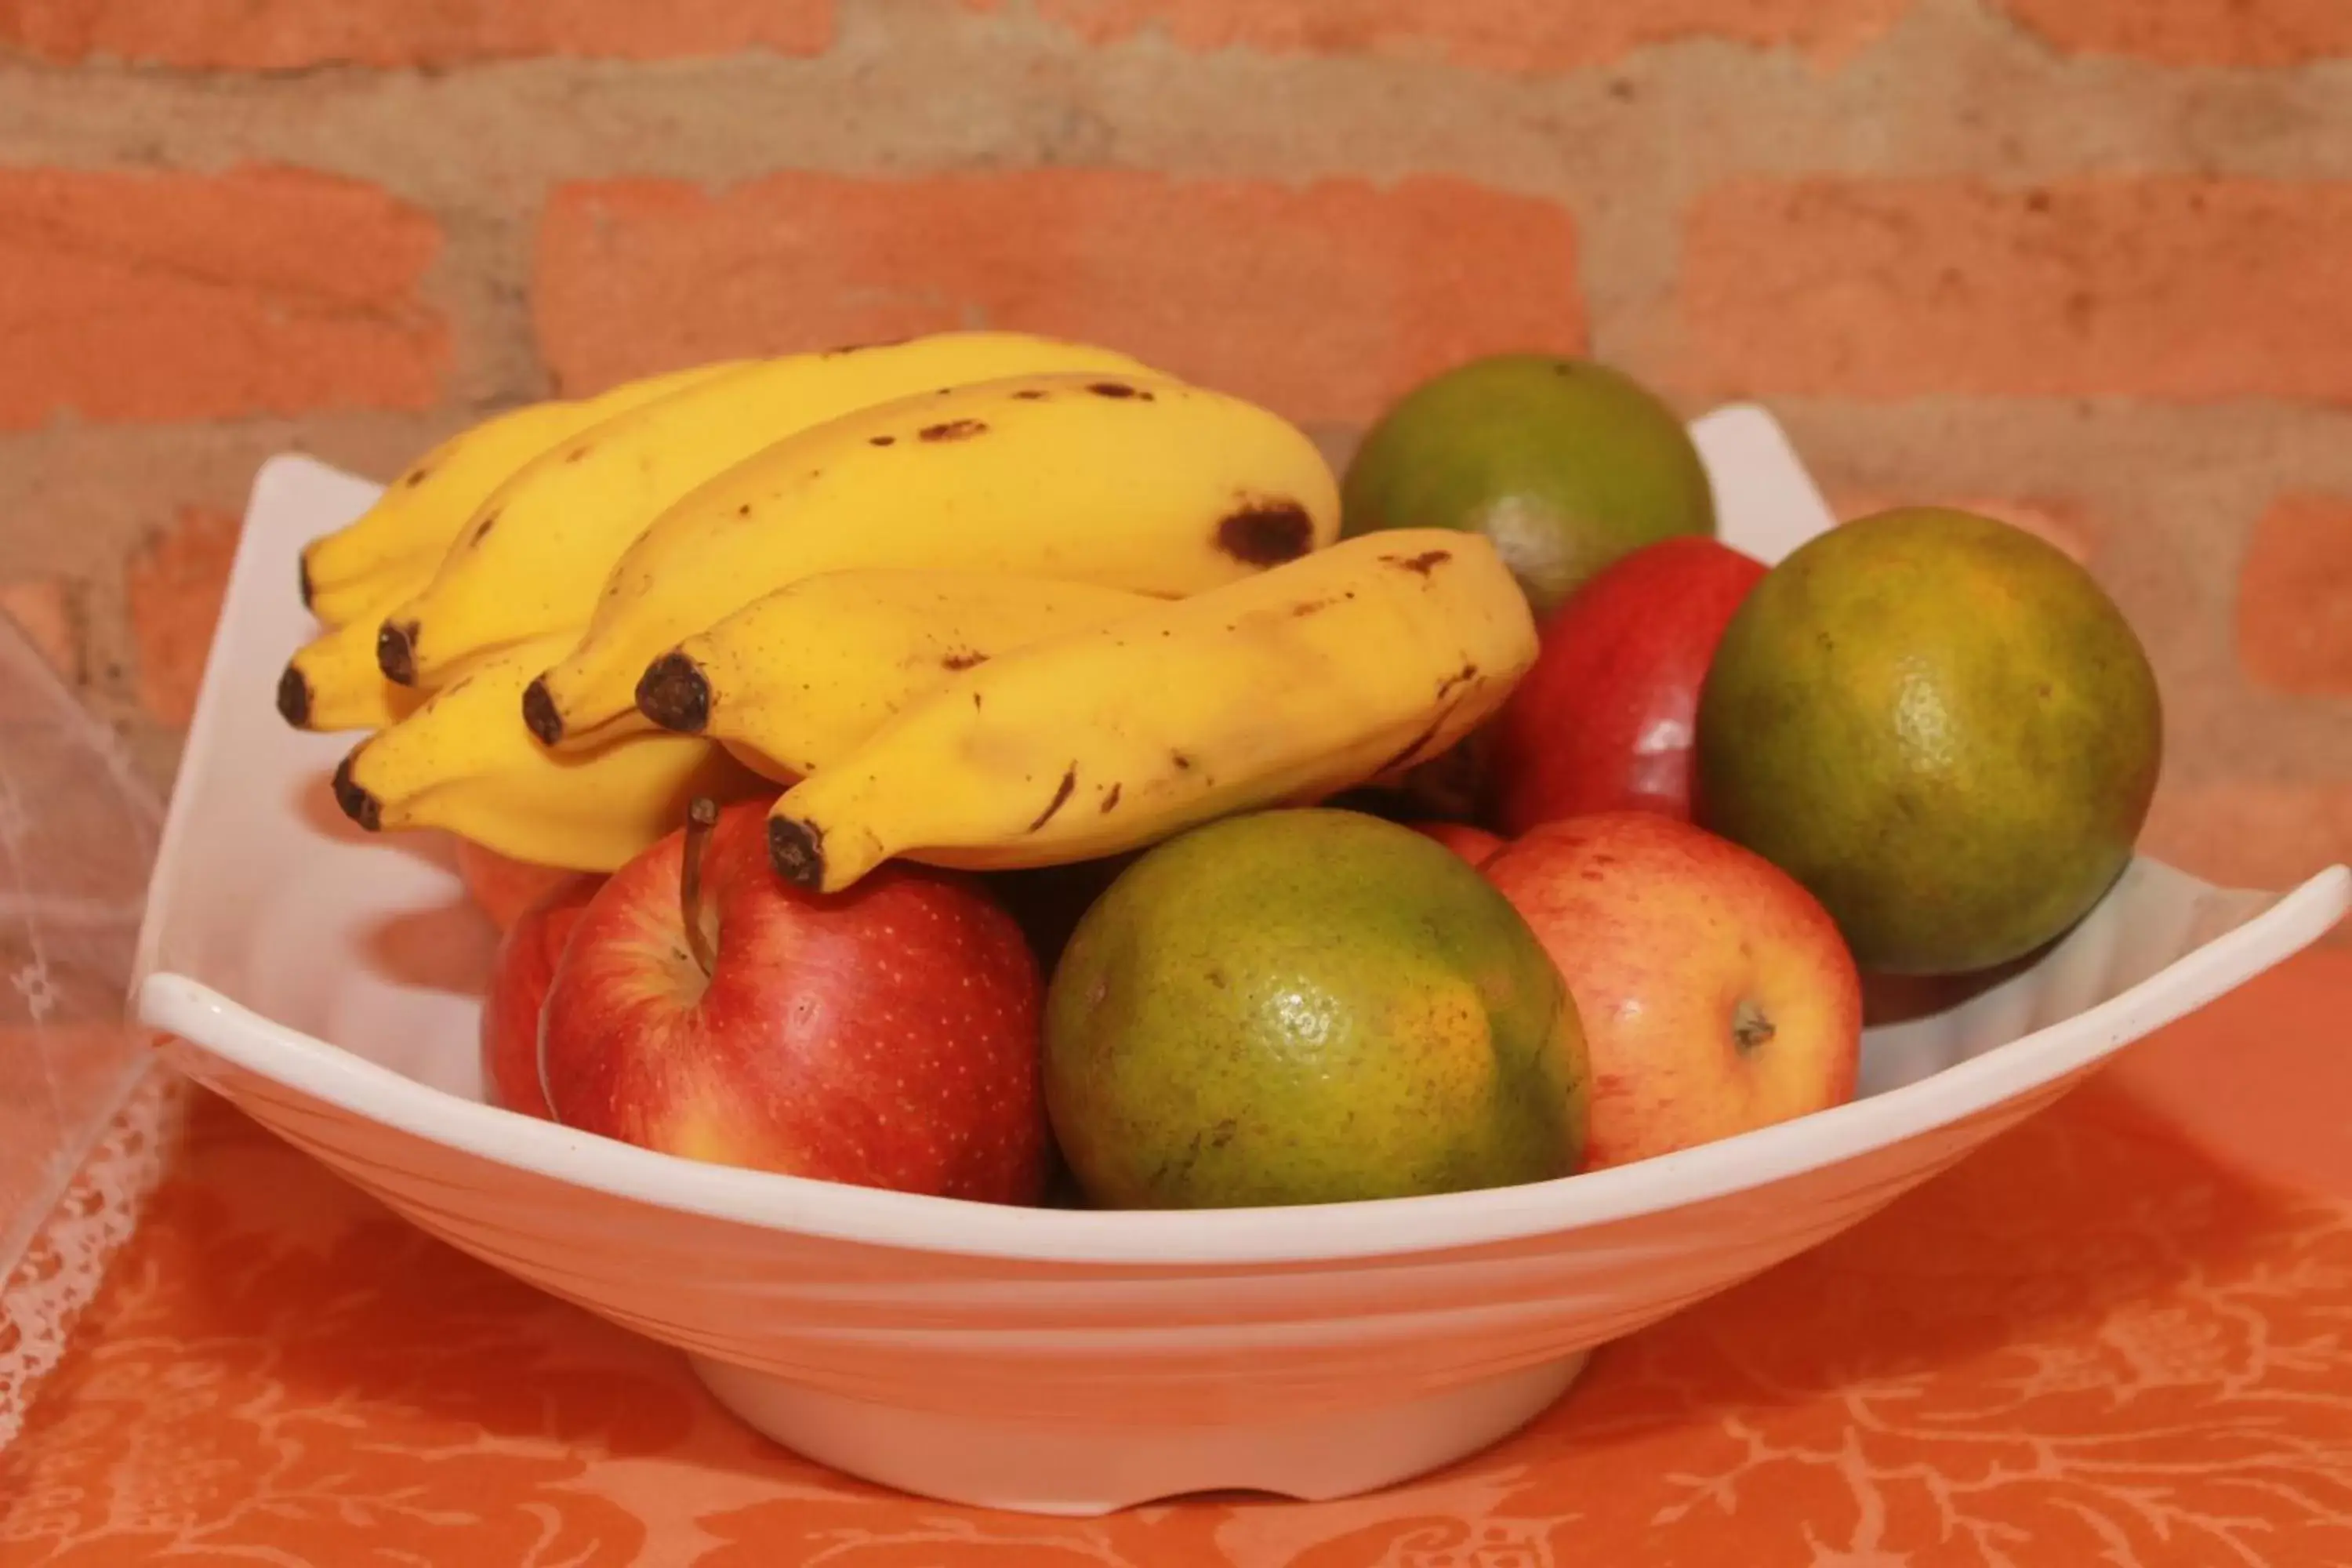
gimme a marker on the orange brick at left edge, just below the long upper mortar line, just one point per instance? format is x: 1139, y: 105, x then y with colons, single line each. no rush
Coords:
x: 213, y: 295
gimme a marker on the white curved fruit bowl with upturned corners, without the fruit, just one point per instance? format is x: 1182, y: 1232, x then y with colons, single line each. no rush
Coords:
x: 1053, y: 1360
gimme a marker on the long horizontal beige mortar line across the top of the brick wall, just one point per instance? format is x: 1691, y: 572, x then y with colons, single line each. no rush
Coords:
x: 674, y: 119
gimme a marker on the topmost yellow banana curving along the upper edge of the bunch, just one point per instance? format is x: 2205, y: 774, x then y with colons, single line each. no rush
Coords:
x: 542, y: 547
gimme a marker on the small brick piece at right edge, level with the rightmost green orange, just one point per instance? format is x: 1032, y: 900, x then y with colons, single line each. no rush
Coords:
x: 2294, y: 598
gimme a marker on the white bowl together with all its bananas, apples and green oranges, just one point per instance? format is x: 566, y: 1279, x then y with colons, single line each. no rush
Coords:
x: 1069, y: 953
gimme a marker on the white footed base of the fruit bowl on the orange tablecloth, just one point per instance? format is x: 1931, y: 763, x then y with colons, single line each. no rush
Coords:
x: 1083, y: 1470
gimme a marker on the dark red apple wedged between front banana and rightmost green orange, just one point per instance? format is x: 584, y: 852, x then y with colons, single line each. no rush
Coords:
x: 1605, y: 716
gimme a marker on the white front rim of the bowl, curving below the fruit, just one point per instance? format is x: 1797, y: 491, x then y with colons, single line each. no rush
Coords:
x: 1208, y: 1238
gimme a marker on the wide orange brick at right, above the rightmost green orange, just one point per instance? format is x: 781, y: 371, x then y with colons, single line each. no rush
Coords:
x: 2153, y: 288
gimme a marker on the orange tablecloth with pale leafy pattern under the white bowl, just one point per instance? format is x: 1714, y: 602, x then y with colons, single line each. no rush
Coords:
x: 2118, y: 1336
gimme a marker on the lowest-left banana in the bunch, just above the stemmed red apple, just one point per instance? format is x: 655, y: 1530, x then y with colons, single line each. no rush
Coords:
x: 465, y: 765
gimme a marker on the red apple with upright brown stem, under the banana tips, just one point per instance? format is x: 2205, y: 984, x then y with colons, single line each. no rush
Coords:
x: 886, y: 1036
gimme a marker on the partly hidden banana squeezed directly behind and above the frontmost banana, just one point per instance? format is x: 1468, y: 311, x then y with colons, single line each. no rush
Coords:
x: 796, y: 681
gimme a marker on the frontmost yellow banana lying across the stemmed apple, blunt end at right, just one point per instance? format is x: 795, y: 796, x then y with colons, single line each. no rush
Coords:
x: 1347, y: 666
